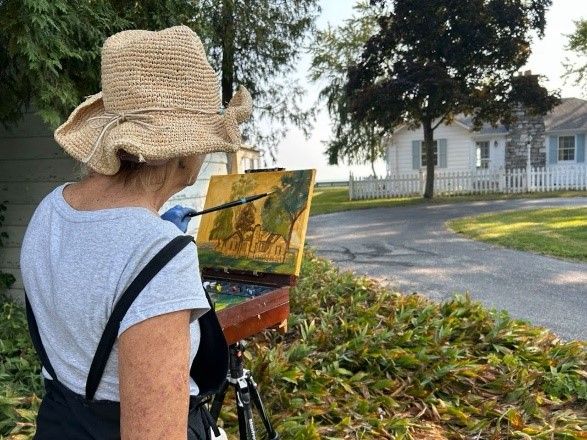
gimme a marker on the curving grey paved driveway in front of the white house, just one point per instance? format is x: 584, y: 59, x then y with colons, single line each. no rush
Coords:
x: 410, y: 249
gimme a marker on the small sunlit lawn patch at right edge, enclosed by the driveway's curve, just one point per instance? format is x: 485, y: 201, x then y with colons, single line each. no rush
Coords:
x: 560, y: 232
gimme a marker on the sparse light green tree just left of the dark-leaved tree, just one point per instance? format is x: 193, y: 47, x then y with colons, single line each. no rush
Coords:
x: 333, y: 52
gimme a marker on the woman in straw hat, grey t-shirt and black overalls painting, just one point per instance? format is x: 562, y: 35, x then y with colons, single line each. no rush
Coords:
x: 121, y: 369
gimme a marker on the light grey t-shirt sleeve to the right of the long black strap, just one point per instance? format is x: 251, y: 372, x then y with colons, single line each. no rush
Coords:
x: 178, y: 286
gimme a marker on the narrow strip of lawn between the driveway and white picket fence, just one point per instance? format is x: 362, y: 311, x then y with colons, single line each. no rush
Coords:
x: 335, y: 199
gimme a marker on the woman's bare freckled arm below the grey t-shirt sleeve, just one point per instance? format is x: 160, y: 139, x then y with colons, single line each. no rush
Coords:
x: 153, y: 370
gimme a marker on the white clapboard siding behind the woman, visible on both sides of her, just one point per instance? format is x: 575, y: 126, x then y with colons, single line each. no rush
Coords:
x: 32, y: 164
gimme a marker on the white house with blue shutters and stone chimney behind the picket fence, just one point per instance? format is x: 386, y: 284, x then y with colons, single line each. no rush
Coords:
x: 555, y: 139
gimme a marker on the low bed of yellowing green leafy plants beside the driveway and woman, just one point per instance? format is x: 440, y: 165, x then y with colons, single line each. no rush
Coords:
x: 360, y: 361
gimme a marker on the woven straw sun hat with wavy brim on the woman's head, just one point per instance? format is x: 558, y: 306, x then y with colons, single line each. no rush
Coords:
x: 160, y: 99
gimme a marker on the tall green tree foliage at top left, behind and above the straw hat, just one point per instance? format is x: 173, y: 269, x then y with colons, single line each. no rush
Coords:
x: 50, y: 52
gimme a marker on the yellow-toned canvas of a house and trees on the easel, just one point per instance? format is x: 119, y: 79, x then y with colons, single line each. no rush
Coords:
x: 266, y: 235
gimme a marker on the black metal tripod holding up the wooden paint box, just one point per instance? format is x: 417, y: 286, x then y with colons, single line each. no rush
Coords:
x: 247, y: 397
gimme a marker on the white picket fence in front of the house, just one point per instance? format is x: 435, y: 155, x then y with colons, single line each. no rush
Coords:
x: 557, y: 178
